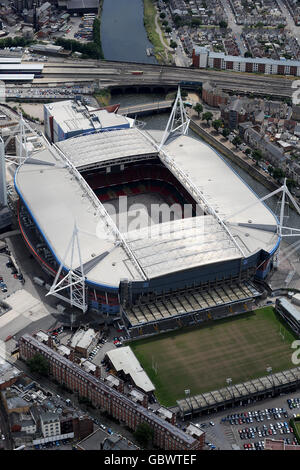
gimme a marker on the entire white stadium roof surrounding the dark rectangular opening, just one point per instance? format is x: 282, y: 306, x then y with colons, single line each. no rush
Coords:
x: 64, y: 198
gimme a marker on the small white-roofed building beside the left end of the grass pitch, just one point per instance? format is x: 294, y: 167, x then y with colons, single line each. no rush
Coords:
x: 123, y: 359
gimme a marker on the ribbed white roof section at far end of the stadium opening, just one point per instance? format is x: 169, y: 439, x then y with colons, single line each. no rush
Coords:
x: 87, y: 150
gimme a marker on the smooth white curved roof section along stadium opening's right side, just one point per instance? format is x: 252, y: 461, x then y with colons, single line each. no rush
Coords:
x: 253, y: 228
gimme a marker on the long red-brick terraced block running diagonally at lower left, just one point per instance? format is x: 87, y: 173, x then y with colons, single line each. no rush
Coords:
x: 166, y: 435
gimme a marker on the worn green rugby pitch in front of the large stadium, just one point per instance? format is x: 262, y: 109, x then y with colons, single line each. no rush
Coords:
x: 201, y: 358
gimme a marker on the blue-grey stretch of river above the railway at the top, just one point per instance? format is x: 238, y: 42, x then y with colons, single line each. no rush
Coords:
x: 123, y: 35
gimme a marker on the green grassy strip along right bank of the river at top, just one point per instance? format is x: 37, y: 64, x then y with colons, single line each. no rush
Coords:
x: 151, y: 30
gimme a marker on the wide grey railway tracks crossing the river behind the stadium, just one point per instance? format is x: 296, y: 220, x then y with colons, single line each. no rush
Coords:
x: 118, y: 74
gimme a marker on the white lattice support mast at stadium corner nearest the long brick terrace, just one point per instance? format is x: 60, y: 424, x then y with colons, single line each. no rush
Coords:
x: 74, y: 280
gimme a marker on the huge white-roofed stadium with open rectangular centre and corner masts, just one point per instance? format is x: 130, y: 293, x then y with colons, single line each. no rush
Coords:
x: 190, y: 268
